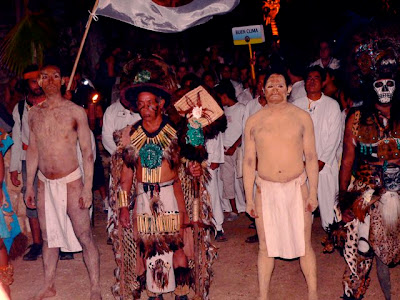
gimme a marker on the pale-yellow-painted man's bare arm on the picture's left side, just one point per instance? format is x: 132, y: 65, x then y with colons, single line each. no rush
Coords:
x: 249, y: 169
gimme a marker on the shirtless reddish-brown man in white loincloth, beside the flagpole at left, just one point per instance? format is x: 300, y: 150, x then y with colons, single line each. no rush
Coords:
x: 55, y: 126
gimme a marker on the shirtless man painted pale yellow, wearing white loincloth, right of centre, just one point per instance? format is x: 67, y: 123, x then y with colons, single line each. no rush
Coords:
x: 283, y: 134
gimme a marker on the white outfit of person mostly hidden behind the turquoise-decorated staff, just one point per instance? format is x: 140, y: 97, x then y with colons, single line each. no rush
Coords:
x: 215, y: 150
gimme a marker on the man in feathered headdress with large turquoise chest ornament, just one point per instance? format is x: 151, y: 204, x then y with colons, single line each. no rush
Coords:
x: 153, y: 244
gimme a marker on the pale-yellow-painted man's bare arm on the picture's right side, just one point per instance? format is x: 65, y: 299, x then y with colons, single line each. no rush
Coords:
x: 310, y: 154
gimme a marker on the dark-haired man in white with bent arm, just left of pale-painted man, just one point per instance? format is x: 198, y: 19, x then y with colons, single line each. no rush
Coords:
x: 232, y: 139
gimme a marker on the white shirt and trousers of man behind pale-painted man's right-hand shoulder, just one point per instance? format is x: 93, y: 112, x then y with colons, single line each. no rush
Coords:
x: 327, y: 120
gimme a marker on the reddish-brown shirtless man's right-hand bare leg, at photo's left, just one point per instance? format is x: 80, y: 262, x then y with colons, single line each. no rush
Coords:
x: 81, y: 223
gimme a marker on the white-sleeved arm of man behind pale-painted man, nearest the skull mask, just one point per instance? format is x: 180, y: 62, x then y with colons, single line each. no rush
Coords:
x: 334, y: 134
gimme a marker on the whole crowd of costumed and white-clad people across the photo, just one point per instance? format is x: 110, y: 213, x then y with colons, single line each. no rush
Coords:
x: 286, y: 142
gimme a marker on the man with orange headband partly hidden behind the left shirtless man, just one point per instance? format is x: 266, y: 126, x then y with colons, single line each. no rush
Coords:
x: 20, y: 134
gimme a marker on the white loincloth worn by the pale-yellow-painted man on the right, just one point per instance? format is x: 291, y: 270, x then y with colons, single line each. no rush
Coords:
x: 283, y: 217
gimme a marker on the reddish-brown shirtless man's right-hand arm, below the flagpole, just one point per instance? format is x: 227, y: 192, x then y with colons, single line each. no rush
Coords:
x: 85, y: 143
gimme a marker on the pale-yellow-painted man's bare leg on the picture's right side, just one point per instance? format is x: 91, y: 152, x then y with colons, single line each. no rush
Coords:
x: 308, y: 261
